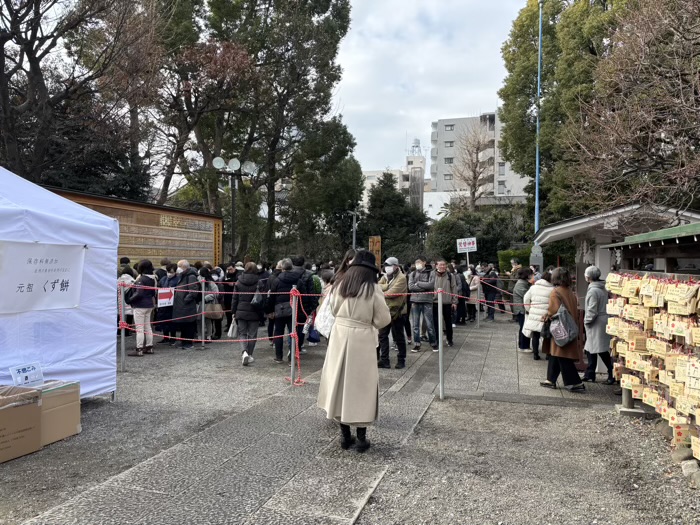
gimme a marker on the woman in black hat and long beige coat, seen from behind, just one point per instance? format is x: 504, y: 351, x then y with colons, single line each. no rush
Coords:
x: 349, y: 390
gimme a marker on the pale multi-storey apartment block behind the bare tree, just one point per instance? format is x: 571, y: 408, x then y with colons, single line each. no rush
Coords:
x: 507, y: 187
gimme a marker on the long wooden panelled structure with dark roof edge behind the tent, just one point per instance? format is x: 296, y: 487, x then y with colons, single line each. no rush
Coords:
x: 150, y: 231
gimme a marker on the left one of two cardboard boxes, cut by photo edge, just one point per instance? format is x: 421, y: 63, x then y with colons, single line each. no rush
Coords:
x: 20, y: 422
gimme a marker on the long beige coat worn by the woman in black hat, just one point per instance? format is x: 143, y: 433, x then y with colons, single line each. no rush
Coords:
x: 349, y: 390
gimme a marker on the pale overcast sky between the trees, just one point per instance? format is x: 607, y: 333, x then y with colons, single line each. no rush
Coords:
x: 407, y: 63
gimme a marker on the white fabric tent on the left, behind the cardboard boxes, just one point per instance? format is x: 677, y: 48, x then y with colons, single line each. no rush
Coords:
x: 76, y: 343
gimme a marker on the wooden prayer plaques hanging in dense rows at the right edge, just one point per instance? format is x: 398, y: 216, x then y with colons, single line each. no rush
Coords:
x: 656, y: 339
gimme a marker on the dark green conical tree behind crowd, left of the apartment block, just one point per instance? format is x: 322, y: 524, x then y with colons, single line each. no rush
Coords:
x: 401, y: 226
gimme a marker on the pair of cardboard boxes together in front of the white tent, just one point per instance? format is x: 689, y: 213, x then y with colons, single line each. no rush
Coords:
x: 31, y: 418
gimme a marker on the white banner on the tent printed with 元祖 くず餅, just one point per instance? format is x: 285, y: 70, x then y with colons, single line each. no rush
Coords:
x: 38, y: 276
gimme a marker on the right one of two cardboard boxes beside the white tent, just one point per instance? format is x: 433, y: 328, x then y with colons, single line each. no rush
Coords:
x: 60, y: 410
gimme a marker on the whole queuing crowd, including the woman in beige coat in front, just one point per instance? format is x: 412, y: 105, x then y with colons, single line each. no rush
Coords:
x: 370, y: 305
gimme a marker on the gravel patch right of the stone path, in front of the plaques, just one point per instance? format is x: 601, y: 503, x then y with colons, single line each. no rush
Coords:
x: 482, y: 462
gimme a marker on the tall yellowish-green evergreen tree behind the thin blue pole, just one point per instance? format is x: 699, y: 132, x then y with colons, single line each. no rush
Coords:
x: 575, y: 39
